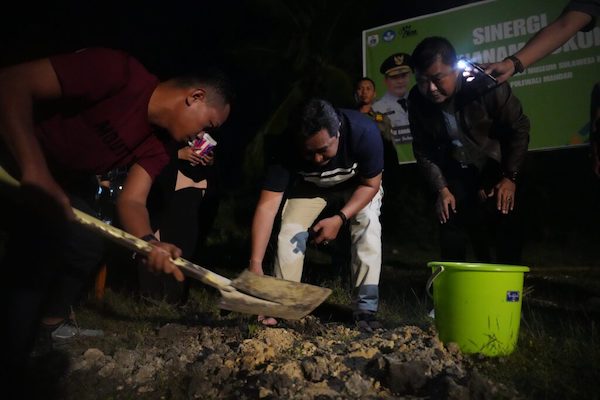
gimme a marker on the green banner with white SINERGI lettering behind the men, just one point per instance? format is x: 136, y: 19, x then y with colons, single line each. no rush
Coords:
x: 555, y: 91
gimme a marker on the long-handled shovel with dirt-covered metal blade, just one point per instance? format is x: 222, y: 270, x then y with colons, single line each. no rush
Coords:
x: 249, y: 293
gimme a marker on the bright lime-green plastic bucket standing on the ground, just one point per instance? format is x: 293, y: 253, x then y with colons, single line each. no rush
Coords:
x: 477, y: 306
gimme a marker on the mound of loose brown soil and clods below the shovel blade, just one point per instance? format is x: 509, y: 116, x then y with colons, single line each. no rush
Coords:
x: 304, y: 360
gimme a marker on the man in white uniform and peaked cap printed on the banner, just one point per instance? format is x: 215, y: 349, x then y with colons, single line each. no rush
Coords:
x: 397, y: 71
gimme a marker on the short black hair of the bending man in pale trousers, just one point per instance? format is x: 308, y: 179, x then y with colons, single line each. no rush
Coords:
x: 317, y: 114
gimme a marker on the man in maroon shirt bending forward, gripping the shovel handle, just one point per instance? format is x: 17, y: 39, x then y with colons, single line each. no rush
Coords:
x: 72, y: 116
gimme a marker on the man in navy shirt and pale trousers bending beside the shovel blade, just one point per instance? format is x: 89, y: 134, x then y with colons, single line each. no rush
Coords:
x: 331, y: 156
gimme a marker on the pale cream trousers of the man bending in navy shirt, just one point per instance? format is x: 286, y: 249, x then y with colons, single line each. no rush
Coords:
x: 365, y: 232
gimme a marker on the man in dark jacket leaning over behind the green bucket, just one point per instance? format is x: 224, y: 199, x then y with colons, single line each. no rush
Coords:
x: 470, y: 145
